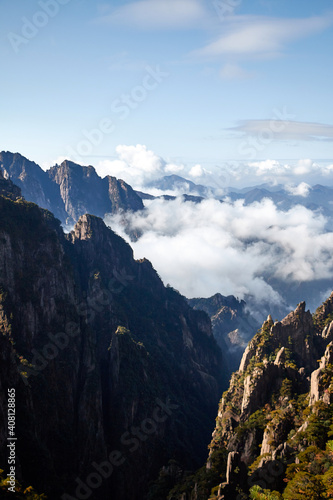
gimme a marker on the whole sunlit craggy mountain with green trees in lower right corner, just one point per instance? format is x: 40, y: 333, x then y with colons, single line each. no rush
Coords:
x: 274, y: 429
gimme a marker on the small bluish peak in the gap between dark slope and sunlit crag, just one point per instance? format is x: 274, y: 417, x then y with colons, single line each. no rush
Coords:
x: 233, y: 326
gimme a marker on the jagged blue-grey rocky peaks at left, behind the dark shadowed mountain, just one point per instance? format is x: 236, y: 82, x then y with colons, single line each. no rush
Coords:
x: 69, y: 190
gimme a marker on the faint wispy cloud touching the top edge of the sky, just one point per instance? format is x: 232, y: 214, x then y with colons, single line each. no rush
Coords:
x: 158, y: 14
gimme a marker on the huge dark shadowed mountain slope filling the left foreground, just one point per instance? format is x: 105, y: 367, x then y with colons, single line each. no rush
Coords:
x: 114, y: 374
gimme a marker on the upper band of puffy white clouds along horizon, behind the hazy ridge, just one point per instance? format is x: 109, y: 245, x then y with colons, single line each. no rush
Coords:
x: 138, y: 166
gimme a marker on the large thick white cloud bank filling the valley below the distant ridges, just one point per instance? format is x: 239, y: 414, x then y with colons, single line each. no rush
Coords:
x: 230, y: 248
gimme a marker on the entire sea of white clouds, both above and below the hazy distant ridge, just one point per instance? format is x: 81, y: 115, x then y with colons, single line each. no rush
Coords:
x: 227, y: 247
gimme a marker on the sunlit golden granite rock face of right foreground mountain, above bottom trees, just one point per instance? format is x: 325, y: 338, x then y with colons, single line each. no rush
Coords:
x: 276, y: 402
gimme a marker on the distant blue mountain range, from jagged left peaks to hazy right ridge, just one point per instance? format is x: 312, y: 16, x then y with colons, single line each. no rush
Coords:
x: 70, y: 190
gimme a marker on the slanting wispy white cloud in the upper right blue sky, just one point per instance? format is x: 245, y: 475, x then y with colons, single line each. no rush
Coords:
x: 254, y: 35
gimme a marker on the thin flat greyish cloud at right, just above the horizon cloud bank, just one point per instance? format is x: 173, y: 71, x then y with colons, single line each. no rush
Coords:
x: 291, y: 130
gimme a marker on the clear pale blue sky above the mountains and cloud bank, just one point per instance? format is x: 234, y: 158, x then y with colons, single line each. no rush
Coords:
x: 194, y: 81
